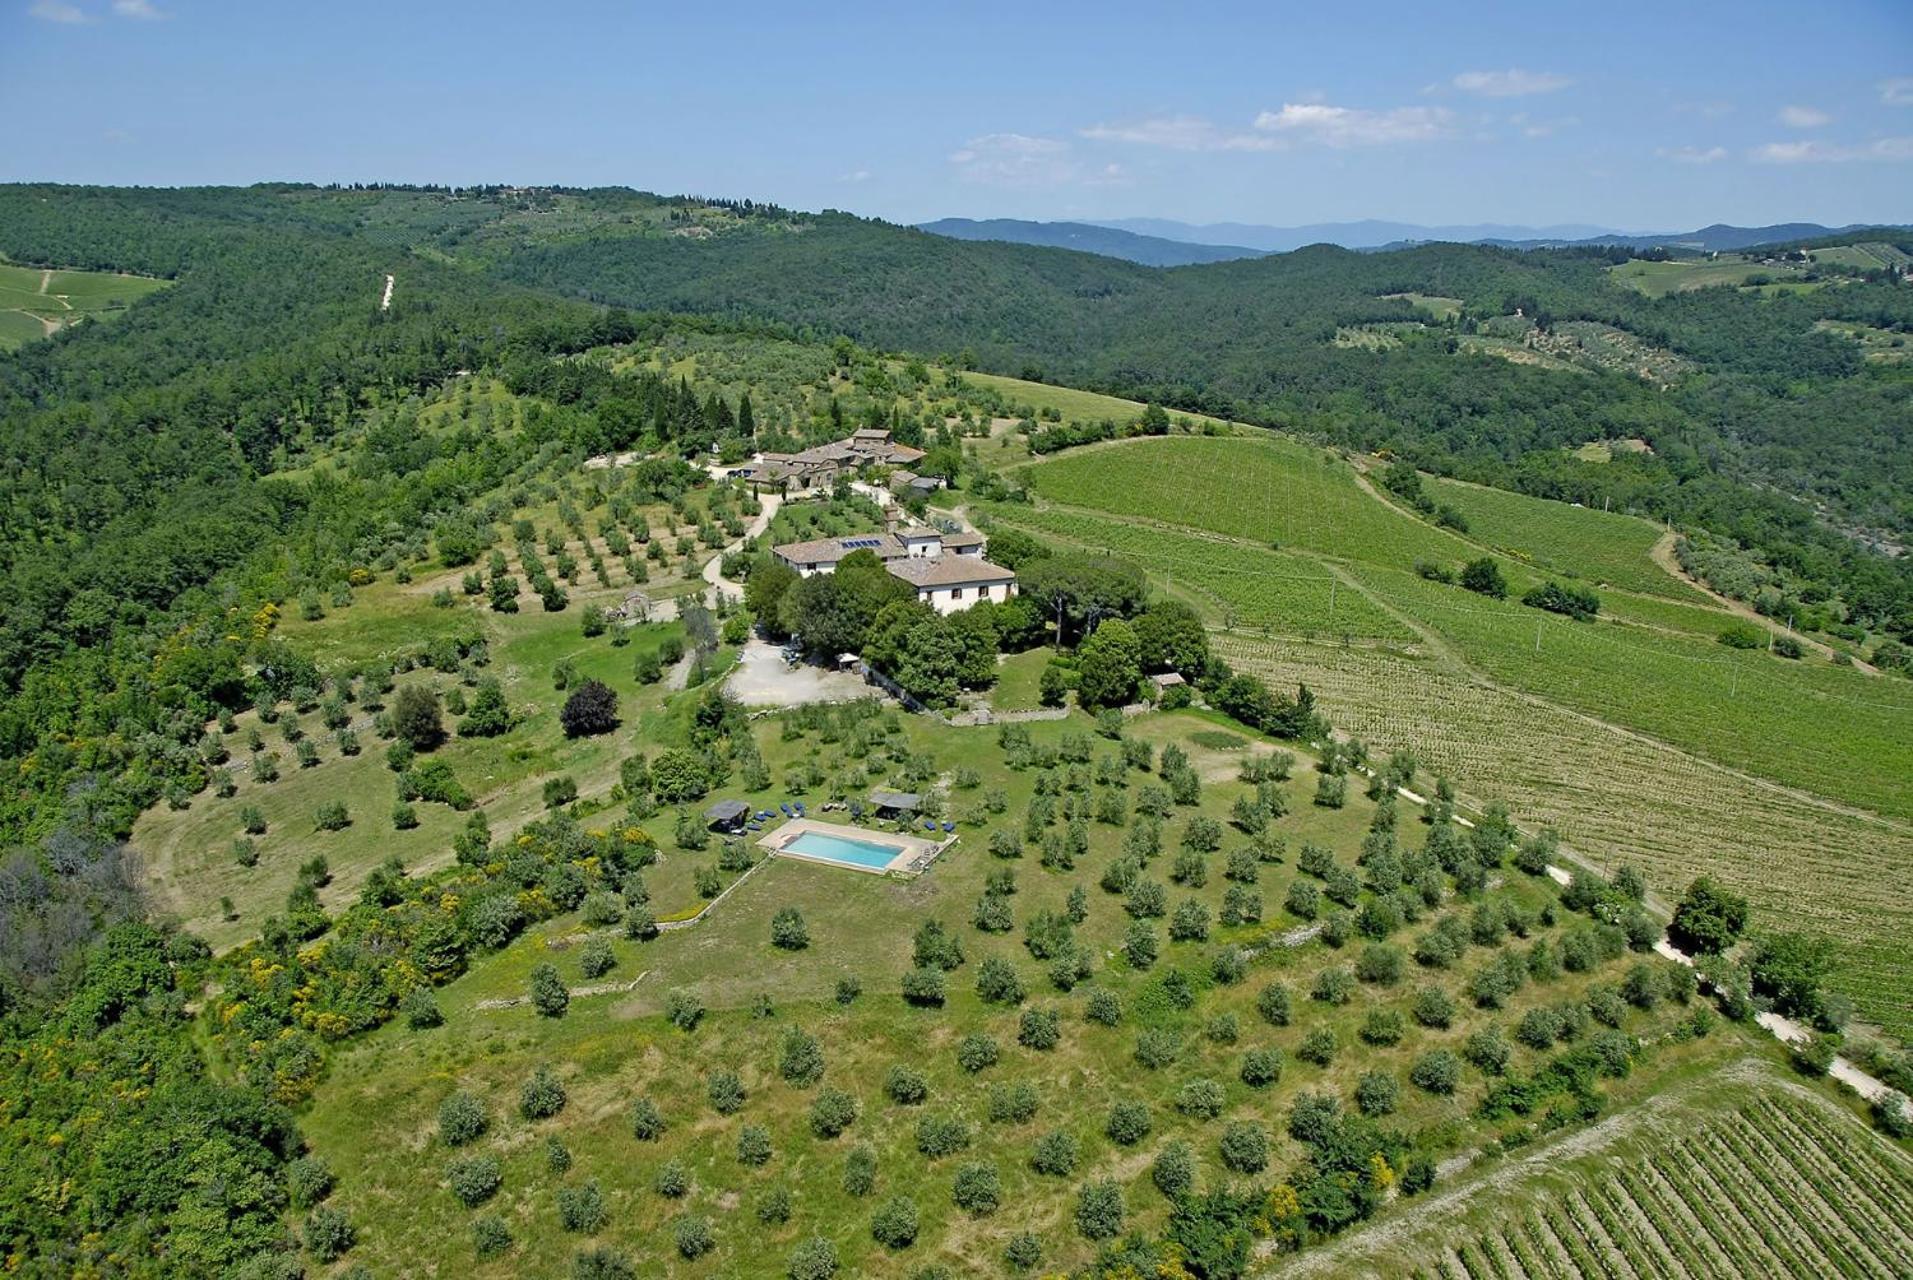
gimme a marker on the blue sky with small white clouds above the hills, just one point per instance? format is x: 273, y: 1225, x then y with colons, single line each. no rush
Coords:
x: 1629, y: 116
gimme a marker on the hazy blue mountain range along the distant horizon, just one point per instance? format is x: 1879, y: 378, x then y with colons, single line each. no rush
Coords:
x: 1164, y: 242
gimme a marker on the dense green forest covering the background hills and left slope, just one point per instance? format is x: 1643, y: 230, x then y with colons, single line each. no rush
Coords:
x: 154, y: 497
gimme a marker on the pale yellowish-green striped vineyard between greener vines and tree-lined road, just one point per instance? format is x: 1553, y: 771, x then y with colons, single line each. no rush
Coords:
x: 1621, y: 799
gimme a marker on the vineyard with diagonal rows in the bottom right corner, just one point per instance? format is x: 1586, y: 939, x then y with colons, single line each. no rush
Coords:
x: 1772, y: 1181
